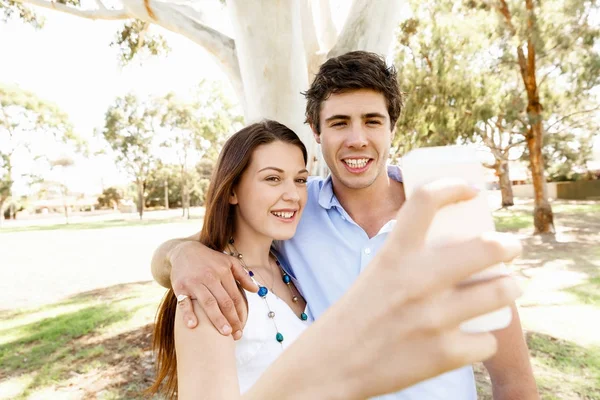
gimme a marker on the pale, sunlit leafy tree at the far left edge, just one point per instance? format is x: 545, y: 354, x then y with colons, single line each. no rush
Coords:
x: 28, y: 127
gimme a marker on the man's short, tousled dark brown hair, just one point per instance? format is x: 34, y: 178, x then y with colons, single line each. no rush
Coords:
x: 352, y: 71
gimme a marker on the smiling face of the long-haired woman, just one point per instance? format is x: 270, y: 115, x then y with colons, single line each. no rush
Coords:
x: 271, y: 193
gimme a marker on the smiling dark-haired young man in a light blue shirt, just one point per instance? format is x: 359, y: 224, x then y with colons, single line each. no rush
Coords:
x: 352, y: 107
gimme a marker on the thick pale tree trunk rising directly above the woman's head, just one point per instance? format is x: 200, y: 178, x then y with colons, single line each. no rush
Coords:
x: 273, y: 67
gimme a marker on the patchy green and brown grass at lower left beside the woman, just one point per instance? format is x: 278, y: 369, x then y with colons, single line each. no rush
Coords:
x: 85, y: 334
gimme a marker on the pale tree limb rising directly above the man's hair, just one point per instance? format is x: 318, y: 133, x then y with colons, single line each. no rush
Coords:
x: 368, y: 27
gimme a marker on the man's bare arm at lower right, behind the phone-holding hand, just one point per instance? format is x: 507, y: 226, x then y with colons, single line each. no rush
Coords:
x: 510, y: 369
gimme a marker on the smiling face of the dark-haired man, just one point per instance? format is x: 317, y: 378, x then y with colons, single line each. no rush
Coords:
x: 355, y: 137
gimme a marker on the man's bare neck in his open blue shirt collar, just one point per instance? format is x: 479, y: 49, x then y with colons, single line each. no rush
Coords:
x: 373, y: 206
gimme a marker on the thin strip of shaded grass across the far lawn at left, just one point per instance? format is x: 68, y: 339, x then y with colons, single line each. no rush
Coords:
x: 99, y: 224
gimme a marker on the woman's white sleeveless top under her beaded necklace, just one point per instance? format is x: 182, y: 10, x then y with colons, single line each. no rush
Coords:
x: 258, y: 347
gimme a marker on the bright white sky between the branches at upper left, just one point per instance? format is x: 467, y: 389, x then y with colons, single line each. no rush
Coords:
x: 69, y: 62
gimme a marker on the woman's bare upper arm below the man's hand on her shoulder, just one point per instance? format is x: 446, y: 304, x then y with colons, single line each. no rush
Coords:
x: 206, y: 367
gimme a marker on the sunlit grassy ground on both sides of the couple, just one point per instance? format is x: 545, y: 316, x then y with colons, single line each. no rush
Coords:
x: 96, y: 343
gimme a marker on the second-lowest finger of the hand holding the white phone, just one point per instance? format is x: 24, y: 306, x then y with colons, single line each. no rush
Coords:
x: 479, y: 298
